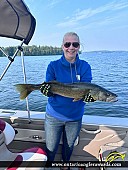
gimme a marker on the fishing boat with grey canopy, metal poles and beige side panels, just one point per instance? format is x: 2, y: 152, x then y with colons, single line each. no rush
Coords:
x: 102, y: 142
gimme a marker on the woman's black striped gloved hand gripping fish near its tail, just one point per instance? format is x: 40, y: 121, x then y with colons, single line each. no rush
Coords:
x: 45, y: 89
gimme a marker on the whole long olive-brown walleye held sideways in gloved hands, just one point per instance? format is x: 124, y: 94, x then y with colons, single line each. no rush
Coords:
x: 76, y: 91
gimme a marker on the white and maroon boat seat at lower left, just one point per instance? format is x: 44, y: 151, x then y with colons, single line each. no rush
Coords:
x: 16, y: 161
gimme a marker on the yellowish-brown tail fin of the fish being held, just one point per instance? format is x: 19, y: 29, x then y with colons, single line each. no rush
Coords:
x: 24, y: 90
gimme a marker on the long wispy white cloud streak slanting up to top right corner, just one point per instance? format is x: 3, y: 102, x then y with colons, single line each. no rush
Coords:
x: 87, y: 13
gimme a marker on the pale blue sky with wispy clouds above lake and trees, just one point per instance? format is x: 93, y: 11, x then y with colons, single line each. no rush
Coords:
x: 100, y: 24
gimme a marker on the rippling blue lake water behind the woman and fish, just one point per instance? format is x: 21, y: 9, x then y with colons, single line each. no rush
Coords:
x: 109, y: 69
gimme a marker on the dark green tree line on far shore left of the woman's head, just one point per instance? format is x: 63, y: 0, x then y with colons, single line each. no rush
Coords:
x: 33, y: 50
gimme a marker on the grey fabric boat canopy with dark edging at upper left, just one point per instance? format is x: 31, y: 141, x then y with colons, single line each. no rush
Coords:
x: 16, y: 21
